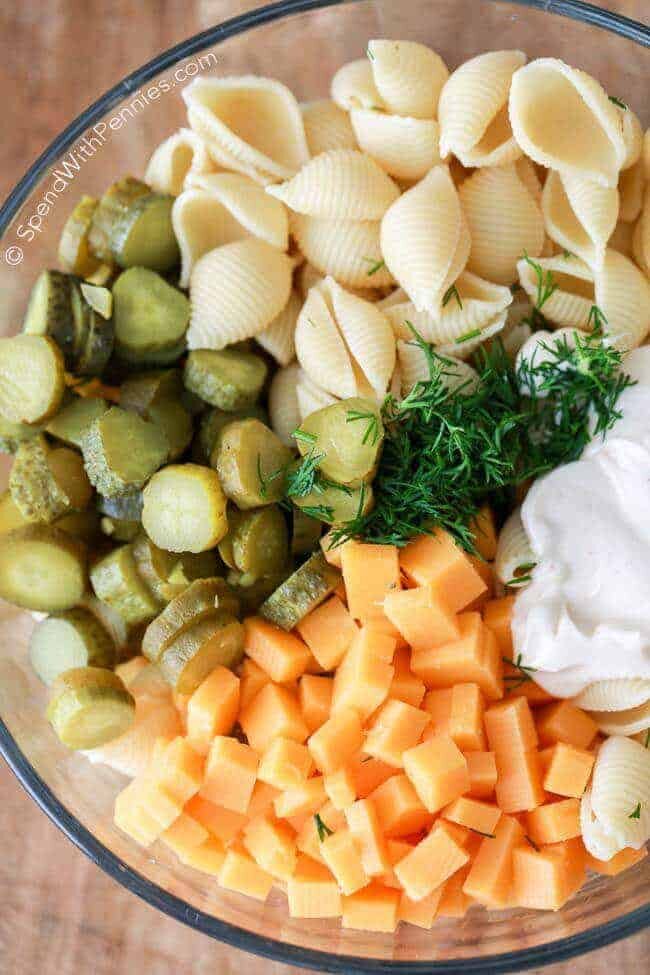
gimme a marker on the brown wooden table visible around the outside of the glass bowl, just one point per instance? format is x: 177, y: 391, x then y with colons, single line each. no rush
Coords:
x: 61, y: 915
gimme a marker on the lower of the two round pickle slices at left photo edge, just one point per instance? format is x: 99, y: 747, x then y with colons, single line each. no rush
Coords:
x: 42, y: 568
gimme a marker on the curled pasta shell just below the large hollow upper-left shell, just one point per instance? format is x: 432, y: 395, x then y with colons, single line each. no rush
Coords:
x: 224, y: 207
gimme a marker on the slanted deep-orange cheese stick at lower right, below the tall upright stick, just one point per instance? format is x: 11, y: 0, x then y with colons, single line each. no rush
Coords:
x: 489, y: 880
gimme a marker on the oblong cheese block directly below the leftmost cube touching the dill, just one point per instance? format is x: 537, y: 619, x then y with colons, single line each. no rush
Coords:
x: 365, y: 674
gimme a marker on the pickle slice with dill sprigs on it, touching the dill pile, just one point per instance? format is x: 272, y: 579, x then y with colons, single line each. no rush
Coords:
x: 347, y: 436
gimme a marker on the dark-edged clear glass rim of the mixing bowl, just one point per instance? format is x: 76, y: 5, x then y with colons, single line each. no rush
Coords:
x: 514, y: 961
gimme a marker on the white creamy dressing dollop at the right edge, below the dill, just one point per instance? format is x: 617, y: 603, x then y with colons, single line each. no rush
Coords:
x: 585, y: 616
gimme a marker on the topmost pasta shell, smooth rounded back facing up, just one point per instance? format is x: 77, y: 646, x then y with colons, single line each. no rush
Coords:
x: 409, y: 77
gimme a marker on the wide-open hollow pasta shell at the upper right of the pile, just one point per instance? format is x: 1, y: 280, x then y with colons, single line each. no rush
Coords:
x: 562, y: 118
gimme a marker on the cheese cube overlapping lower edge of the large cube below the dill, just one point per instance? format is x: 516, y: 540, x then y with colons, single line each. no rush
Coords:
x: 422, y: 616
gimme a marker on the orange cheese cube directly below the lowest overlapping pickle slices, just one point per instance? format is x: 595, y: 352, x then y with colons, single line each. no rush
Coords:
x: 212, y: 709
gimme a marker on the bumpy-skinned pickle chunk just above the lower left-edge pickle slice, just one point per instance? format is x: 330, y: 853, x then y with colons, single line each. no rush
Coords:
x: 46, y: 483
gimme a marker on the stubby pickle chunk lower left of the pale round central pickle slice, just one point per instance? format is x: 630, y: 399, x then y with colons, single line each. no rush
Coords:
x: 116, y: 581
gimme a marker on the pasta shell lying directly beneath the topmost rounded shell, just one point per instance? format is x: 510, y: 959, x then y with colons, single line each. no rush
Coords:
x: 406, y: 148
